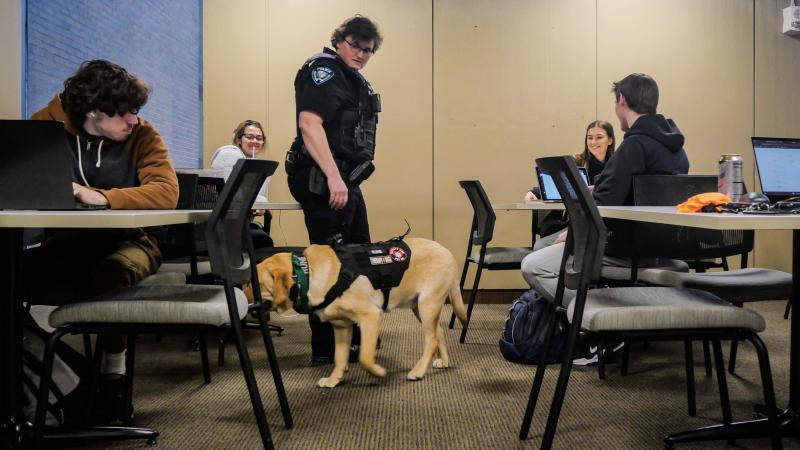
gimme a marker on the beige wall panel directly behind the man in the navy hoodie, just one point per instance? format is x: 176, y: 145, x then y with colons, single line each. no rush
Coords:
x: 703, y: 68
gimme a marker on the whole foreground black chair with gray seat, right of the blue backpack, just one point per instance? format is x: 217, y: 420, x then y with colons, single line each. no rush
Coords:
x: 651, y: 313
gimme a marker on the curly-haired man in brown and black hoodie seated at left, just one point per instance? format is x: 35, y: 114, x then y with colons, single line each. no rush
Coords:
x: 119, y: 161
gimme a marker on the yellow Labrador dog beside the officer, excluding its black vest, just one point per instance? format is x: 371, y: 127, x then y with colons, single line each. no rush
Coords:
x: 432, y: 275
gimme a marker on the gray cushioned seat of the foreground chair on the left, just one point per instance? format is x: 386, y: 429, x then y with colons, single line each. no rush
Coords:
x: 169, y: 304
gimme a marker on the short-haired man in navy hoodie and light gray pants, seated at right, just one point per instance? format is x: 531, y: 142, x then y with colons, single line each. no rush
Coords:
x: 653, y: 144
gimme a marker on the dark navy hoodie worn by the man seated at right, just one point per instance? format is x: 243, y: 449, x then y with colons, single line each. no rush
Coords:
x: 653, y: 146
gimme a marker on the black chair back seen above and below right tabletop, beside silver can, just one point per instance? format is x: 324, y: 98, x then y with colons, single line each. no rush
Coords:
x: 678, y: 242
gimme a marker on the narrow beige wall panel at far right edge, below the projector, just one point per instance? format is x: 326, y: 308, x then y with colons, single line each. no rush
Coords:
x: 777, y: 96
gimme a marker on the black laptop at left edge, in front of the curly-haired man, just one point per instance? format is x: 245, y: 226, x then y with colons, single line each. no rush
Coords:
x: 36, y: 167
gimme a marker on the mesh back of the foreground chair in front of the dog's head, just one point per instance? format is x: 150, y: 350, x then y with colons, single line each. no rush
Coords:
x: 227, y: 233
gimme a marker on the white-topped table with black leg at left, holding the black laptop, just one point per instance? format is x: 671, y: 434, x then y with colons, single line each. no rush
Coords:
x: 12, y: 224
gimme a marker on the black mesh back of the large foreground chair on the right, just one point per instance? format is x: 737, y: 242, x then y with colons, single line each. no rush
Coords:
x: 587, y: 233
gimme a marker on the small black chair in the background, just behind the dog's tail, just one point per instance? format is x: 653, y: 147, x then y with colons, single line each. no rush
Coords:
x: 485, y: 257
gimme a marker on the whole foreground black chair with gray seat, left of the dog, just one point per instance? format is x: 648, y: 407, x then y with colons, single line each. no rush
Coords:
x: 186, y: 308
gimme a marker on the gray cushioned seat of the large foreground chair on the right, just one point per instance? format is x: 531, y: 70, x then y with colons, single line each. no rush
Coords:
x: 662, y: 308
